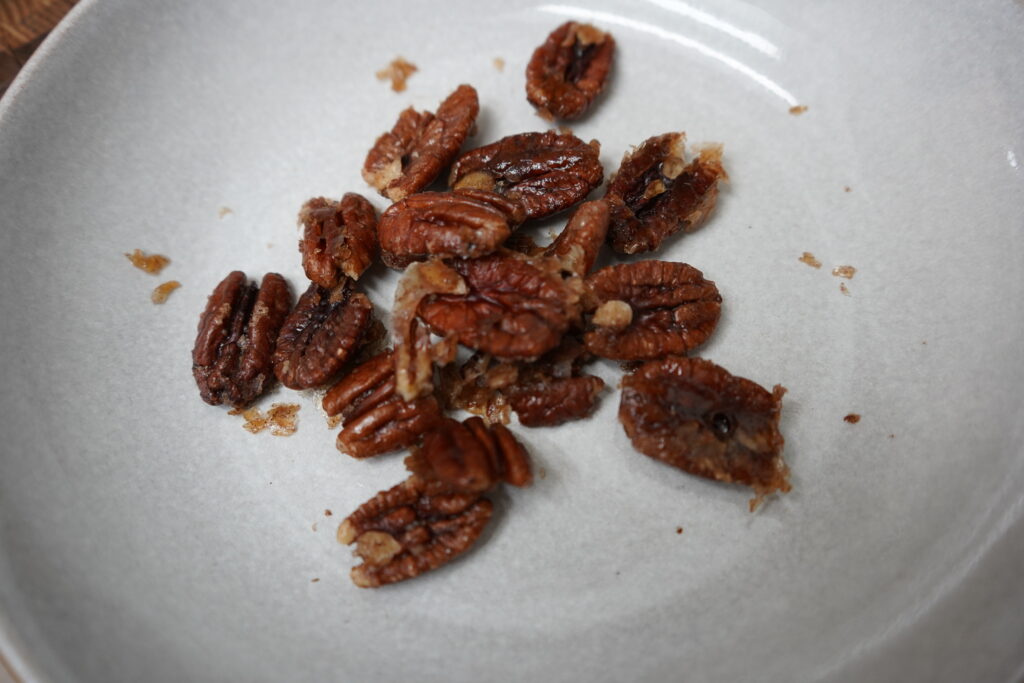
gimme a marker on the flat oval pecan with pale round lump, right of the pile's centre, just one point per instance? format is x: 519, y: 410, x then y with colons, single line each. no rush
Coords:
x: 650, y: 310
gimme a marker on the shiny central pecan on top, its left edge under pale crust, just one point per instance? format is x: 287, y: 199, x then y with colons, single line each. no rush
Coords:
x: 516, y: 308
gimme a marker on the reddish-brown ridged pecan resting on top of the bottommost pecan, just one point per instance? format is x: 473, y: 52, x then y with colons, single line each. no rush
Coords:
x: 472, y: 457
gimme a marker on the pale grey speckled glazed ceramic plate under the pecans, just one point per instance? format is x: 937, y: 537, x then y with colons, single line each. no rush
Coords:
x: 146, y: 536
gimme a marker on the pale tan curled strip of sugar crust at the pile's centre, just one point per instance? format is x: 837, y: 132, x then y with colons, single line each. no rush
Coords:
x: 414, y: 355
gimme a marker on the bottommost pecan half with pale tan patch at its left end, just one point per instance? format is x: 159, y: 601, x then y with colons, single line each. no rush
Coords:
x: 412, y: 529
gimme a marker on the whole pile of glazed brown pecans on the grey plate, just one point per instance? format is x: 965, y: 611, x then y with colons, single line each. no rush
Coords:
x: 534, y: 317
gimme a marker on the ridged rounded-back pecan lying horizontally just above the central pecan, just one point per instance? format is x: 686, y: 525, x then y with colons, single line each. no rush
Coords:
x: 465, y: 224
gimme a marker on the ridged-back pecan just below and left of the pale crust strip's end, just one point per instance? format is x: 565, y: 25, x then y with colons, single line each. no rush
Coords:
x: 375, y: 419
